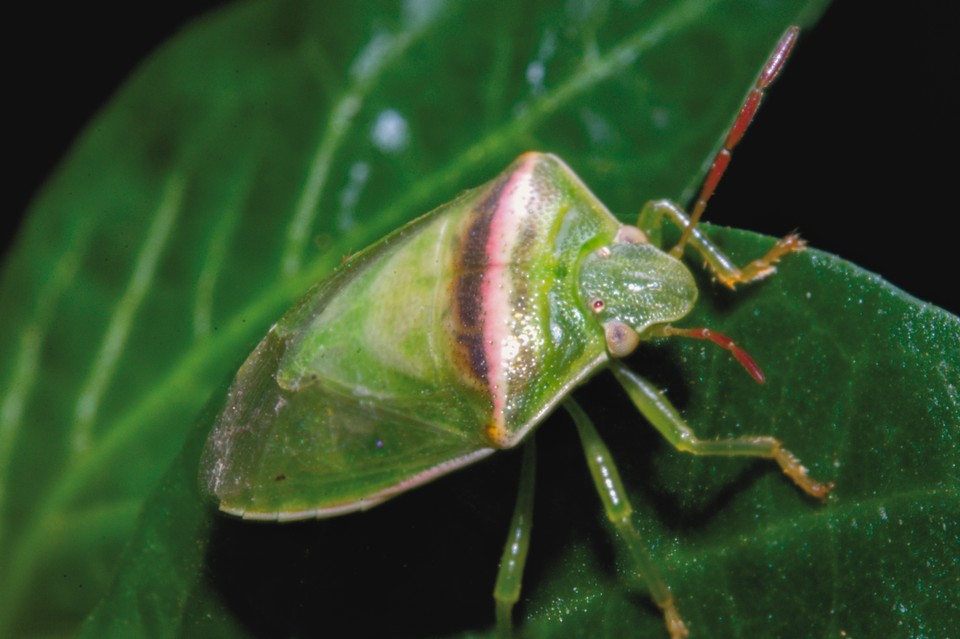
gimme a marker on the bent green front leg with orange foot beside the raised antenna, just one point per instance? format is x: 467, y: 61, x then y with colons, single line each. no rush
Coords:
x: 721, y: 265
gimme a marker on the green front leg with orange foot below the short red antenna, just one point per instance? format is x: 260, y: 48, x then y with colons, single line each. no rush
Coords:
x: 665, y: 418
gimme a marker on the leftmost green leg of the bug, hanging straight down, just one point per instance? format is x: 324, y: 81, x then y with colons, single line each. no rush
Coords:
x: 506, y: 593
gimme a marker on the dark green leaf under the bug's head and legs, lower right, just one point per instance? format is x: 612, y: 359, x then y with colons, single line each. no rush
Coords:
x: 862, y: 383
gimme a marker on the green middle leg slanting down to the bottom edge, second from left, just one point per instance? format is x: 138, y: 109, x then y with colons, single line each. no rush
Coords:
x: 615, y: 502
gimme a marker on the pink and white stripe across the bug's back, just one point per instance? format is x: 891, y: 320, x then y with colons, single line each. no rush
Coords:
x: 496, y: 291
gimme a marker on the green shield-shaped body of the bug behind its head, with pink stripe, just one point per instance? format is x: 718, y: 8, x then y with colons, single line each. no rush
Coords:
x: 448, y: 339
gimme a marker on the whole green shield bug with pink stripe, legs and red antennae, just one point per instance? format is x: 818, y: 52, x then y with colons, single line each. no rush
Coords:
x: 489, y: 311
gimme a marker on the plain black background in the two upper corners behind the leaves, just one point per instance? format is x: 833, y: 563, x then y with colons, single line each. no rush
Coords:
x: 855, y: 145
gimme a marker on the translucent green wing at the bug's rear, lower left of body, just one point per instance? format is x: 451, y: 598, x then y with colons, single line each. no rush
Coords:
x: 316, y: 452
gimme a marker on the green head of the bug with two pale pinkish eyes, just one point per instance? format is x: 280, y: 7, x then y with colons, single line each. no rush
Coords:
x: 631, y: 286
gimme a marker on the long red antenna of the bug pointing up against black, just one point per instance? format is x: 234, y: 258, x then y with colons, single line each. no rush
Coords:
x: 748, y: 109
